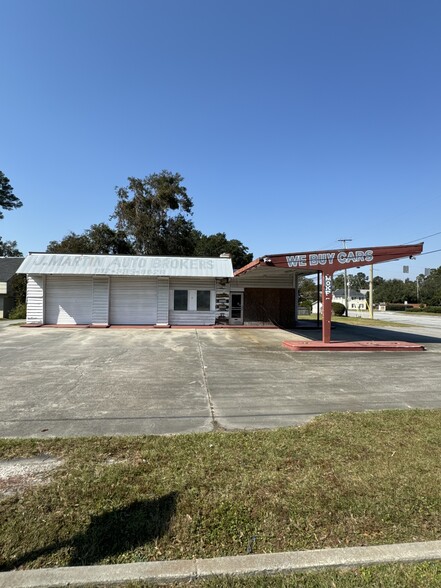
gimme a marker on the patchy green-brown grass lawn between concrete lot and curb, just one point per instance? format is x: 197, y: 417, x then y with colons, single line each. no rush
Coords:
x: 341, y: 480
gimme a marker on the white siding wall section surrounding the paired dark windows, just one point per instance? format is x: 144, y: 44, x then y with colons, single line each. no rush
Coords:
x: 193, y: 317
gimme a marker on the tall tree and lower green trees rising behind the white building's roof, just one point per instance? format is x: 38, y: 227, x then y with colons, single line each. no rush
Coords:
x: 153, y: 217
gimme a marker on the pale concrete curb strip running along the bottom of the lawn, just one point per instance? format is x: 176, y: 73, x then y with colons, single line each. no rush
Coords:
x: 187, y: 570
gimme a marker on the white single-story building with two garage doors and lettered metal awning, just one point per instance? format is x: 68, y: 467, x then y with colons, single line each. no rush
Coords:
x: 102, y: 290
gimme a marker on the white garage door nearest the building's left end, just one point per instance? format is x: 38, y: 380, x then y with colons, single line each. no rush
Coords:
x: 68, y: 300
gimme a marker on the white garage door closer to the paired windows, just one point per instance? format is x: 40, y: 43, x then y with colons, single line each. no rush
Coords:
x: 133, y: 301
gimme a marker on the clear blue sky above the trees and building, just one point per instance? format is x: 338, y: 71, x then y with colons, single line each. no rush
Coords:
x: 295, y: 123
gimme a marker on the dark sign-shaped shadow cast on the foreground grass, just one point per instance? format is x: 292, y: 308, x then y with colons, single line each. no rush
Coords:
x: 111, y: 533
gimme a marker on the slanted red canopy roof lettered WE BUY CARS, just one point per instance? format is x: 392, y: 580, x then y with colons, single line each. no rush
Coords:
x: 332, y: 260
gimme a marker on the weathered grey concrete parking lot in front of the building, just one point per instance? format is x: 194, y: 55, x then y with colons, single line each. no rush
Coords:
x: 77, y: 382
